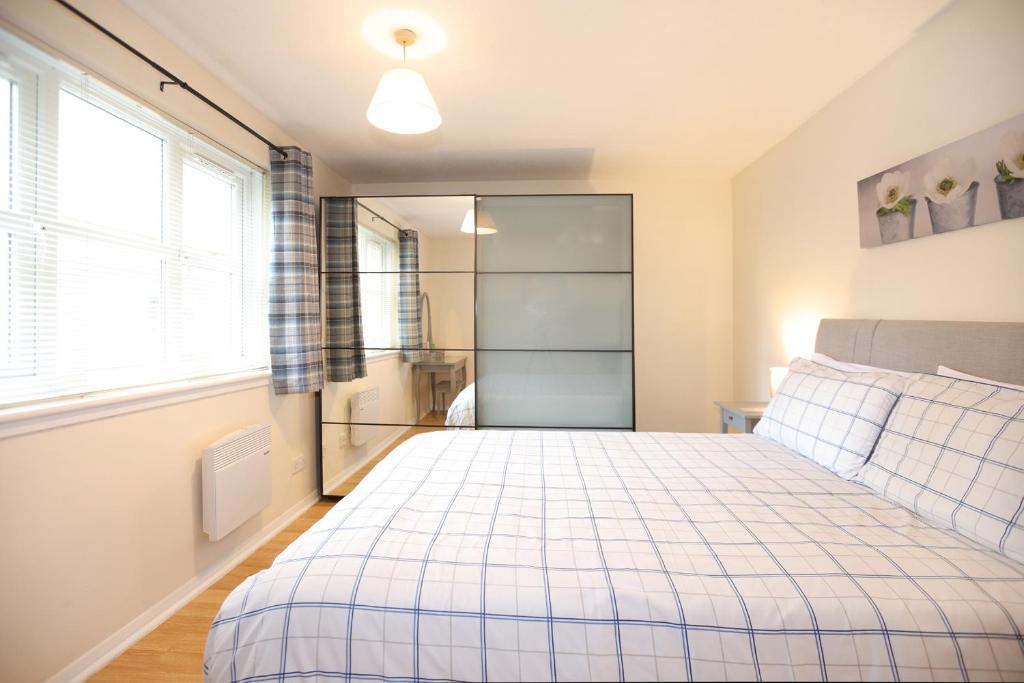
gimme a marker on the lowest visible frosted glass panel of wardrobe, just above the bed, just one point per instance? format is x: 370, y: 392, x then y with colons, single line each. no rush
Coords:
x: 554, y: 390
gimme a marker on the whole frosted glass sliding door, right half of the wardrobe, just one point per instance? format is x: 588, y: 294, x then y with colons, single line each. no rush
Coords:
x: 554, y: 312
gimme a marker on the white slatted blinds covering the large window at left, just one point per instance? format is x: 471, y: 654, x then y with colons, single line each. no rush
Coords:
x: 132, y: 251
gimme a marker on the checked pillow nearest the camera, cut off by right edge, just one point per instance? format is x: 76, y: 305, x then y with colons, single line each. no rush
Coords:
x: 954, y: 452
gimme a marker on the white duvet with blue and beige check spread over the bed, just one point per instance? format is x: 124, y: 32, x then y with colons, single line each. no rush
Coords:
x: 518, y: 556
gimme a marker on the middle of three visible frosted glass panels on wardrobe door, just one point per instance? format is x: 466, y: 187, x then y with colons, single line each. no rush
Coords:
x: 554, y: 312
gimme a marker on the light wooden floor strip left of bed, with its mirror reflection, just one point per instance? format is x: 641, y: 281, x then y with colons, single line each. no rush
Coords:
x: 175, y: 651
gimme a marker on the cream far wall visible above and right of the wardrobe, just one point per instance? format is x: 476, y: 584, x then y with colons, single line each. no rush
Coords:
x: 682, y: 262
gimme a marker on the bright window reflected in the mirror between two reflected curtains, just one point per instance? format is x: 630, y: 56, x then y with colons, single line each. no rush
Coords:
x: 377, y: 289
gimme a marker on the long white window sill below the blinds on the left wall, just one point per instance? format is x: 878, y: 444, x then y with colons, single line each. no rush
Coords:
x: 63, y: 412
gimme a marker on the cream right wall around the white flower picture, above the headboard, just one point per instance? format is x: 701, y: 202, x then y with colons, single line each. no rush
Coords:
x: 797, y: 254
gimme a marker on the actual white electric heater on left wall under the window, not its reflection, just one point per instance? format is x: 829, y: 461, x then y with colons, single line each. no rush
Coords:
x: 237, y: 480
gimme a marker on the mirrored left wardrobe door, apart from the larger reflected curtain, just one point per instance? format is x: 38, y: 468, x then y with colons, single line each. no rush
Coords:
x: 416, y: 264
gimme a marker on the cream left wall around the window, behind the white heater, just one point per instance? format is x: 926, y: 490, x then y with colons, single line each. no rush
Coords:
x: 102, y: 521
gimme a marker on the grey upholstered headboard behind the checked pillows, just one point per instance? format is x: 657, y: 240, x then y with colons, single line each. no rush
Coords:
x: 994, y: 351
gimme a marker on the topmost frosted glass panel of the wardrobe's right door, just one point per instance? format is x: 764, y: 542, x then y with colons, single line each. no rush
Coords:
x: 556, y: 234
